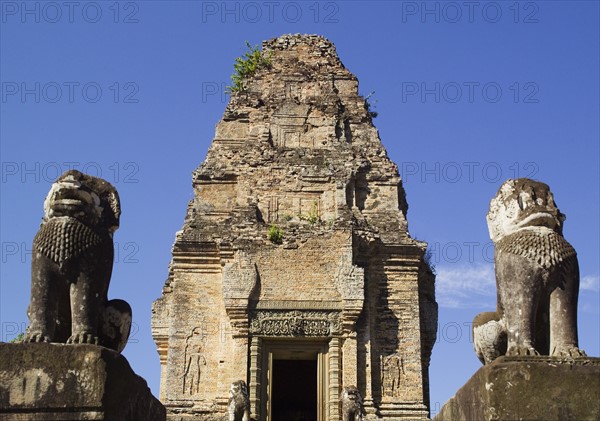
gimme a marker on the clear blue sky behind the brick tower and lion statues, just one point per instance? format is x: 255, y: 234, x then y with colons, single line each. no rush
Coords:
x: 467, y: 96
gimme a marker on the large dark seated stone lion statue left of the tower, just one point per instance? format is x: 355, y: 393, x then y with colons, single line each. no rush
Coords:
x: 71, y: 266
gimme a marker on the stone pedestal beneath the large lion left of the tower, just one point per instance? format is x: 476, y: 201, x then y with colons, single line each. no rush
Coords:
x: 72, y: 382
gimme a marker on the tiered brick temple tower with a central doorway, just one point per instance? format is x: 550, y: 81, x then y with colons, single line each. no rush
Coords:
x: 294, y: 270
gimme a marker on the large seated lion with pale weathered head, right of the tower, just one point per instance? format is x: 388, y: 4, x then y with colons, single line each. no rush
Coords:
x: 537, y: 277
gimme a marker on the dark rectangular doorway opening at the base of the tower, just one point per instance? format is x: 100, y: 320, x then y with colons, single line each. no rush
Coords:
x: 294, y: 390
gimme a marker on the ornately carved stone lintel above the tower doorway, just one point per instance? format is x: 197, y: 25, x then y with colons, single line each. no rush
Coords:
x: 296, y: 323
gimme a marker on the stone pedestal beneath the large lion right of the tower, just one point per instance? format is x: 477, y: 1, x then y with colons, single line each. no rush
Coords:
x: 527, y: 389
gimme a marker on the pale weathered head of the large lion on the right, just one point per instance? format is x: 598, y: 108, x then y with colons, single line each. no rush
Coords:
x: 523, y: 203
